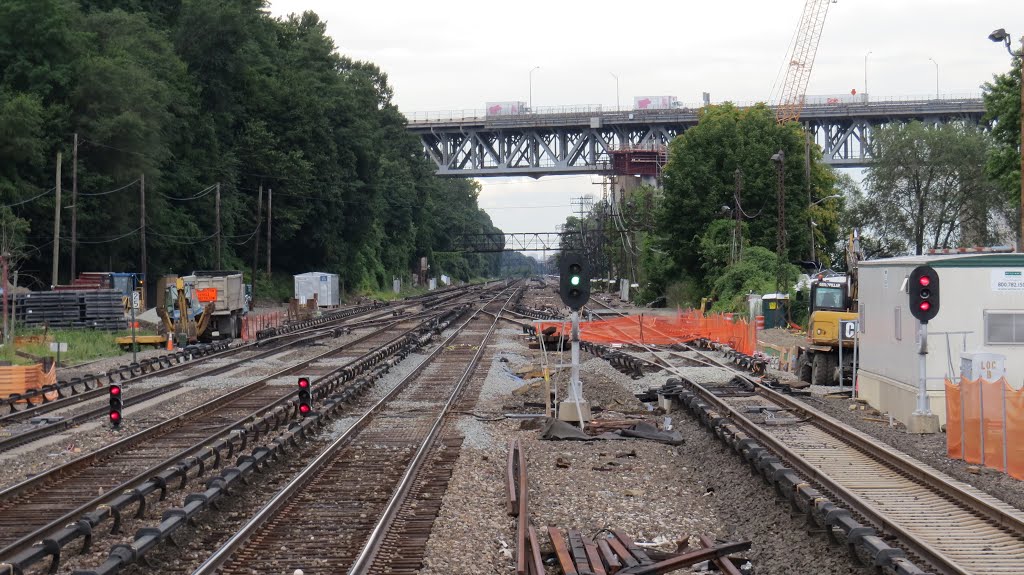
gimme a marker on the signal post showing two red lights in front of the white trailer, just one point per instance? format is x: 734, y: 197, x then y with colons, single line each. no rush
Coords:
x: 924, y: 292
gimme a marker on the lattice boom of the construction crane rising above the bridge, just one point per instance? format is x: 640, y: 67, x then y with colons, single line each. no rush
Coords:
x: 798, y: 73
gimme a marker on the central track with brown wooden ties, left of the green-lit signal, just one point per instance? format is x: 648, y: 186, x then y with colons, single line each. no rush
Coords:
x: 357, y: 491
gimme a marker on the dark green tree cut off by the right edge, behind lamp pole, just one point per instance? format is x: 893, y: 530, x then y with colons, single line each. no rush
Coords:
x: 1003, y: 116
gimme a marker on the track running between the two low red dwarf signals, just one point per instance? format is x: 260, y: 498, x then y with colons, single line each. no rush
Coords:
x: 188, y: 439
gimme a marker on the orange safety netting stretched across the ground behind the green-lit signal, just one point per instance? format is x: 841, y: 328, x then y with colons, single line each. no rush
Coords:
x: 661, y: 330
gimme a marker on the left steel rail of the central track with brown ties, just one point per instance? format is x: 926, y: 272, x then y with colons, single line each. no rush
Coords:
x: 230, y: 548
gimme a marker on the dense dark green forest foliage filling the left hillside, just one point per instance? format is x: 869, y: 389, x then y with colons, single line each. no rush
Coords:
x: 191, y: 94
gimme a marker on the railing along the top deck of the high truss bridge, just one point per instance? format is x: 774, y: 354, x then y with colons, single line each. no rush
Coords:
x: 558, y: 115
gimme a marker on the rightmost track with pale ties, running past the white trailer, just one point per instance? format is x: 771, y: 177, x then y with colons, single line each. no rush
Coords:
x: 947, y: 525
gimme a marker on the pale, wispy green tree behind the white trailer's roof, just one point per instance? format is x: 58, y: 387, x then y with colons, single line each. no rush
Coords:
x: 928, y: 188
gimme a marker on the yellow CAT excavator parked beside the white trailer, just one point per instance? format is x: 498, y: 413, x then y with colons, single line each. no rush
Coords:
x: 834, y: 299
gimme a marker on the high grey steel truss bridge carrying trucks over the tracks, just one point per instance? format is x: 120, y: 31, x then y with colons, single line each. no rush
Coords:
x: 582, y: 141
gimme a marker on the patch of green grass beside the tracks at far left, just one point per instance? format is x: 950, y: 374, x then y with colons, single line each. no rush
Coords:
x: 83, y: 345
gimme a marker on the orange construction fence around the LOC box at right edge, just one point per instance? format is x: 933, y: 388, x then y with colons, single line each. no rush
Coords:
x: 982, y: 419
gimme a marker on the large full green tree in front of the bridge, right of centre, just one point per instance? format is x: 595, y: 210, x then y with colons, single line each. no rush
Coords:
x: 701, y: 181
